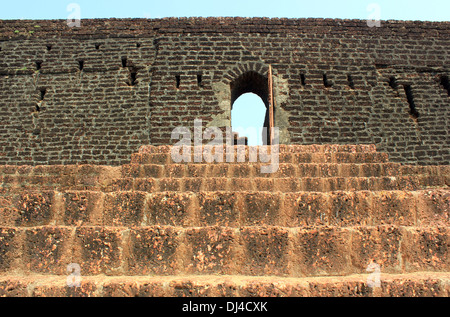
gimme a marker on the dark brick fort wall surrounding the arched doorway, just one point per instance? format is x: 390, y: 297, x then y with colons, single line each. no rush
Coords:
x: 94, y: 94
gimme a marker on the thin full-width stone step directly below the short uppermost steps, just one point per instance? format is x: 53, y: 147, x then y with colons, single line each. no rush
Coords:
x: 85, y: 174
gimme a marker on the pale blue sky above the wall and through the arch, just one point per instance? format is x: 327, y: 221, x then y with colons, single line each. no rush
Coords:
x: 248, y: 110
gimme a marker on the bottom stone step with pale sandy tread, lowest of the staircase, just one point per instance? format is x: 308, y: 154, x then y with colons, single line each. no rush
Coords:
x: 420, y: 284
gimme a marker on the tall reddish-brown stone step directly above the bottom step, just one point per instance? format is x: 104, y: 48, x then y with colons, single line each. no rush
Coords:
x: 249, y: 250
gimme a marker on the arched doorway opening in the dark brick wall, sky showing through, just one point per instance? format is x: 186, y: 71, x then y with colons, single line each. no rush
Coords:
x: 249, y: 107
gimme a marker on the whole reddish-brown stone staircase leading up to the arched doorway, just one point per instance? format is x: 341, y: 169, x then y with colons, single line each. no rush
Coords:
x: 158, y: 228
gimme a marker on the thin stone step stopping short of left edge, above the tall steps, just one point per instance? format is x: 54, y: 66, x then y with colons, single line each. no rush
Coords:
x: 281, y: 184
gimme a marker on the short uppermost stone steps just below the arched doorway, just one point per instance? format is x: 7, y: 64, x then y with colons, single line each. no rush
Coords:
x: 294, y: 154
